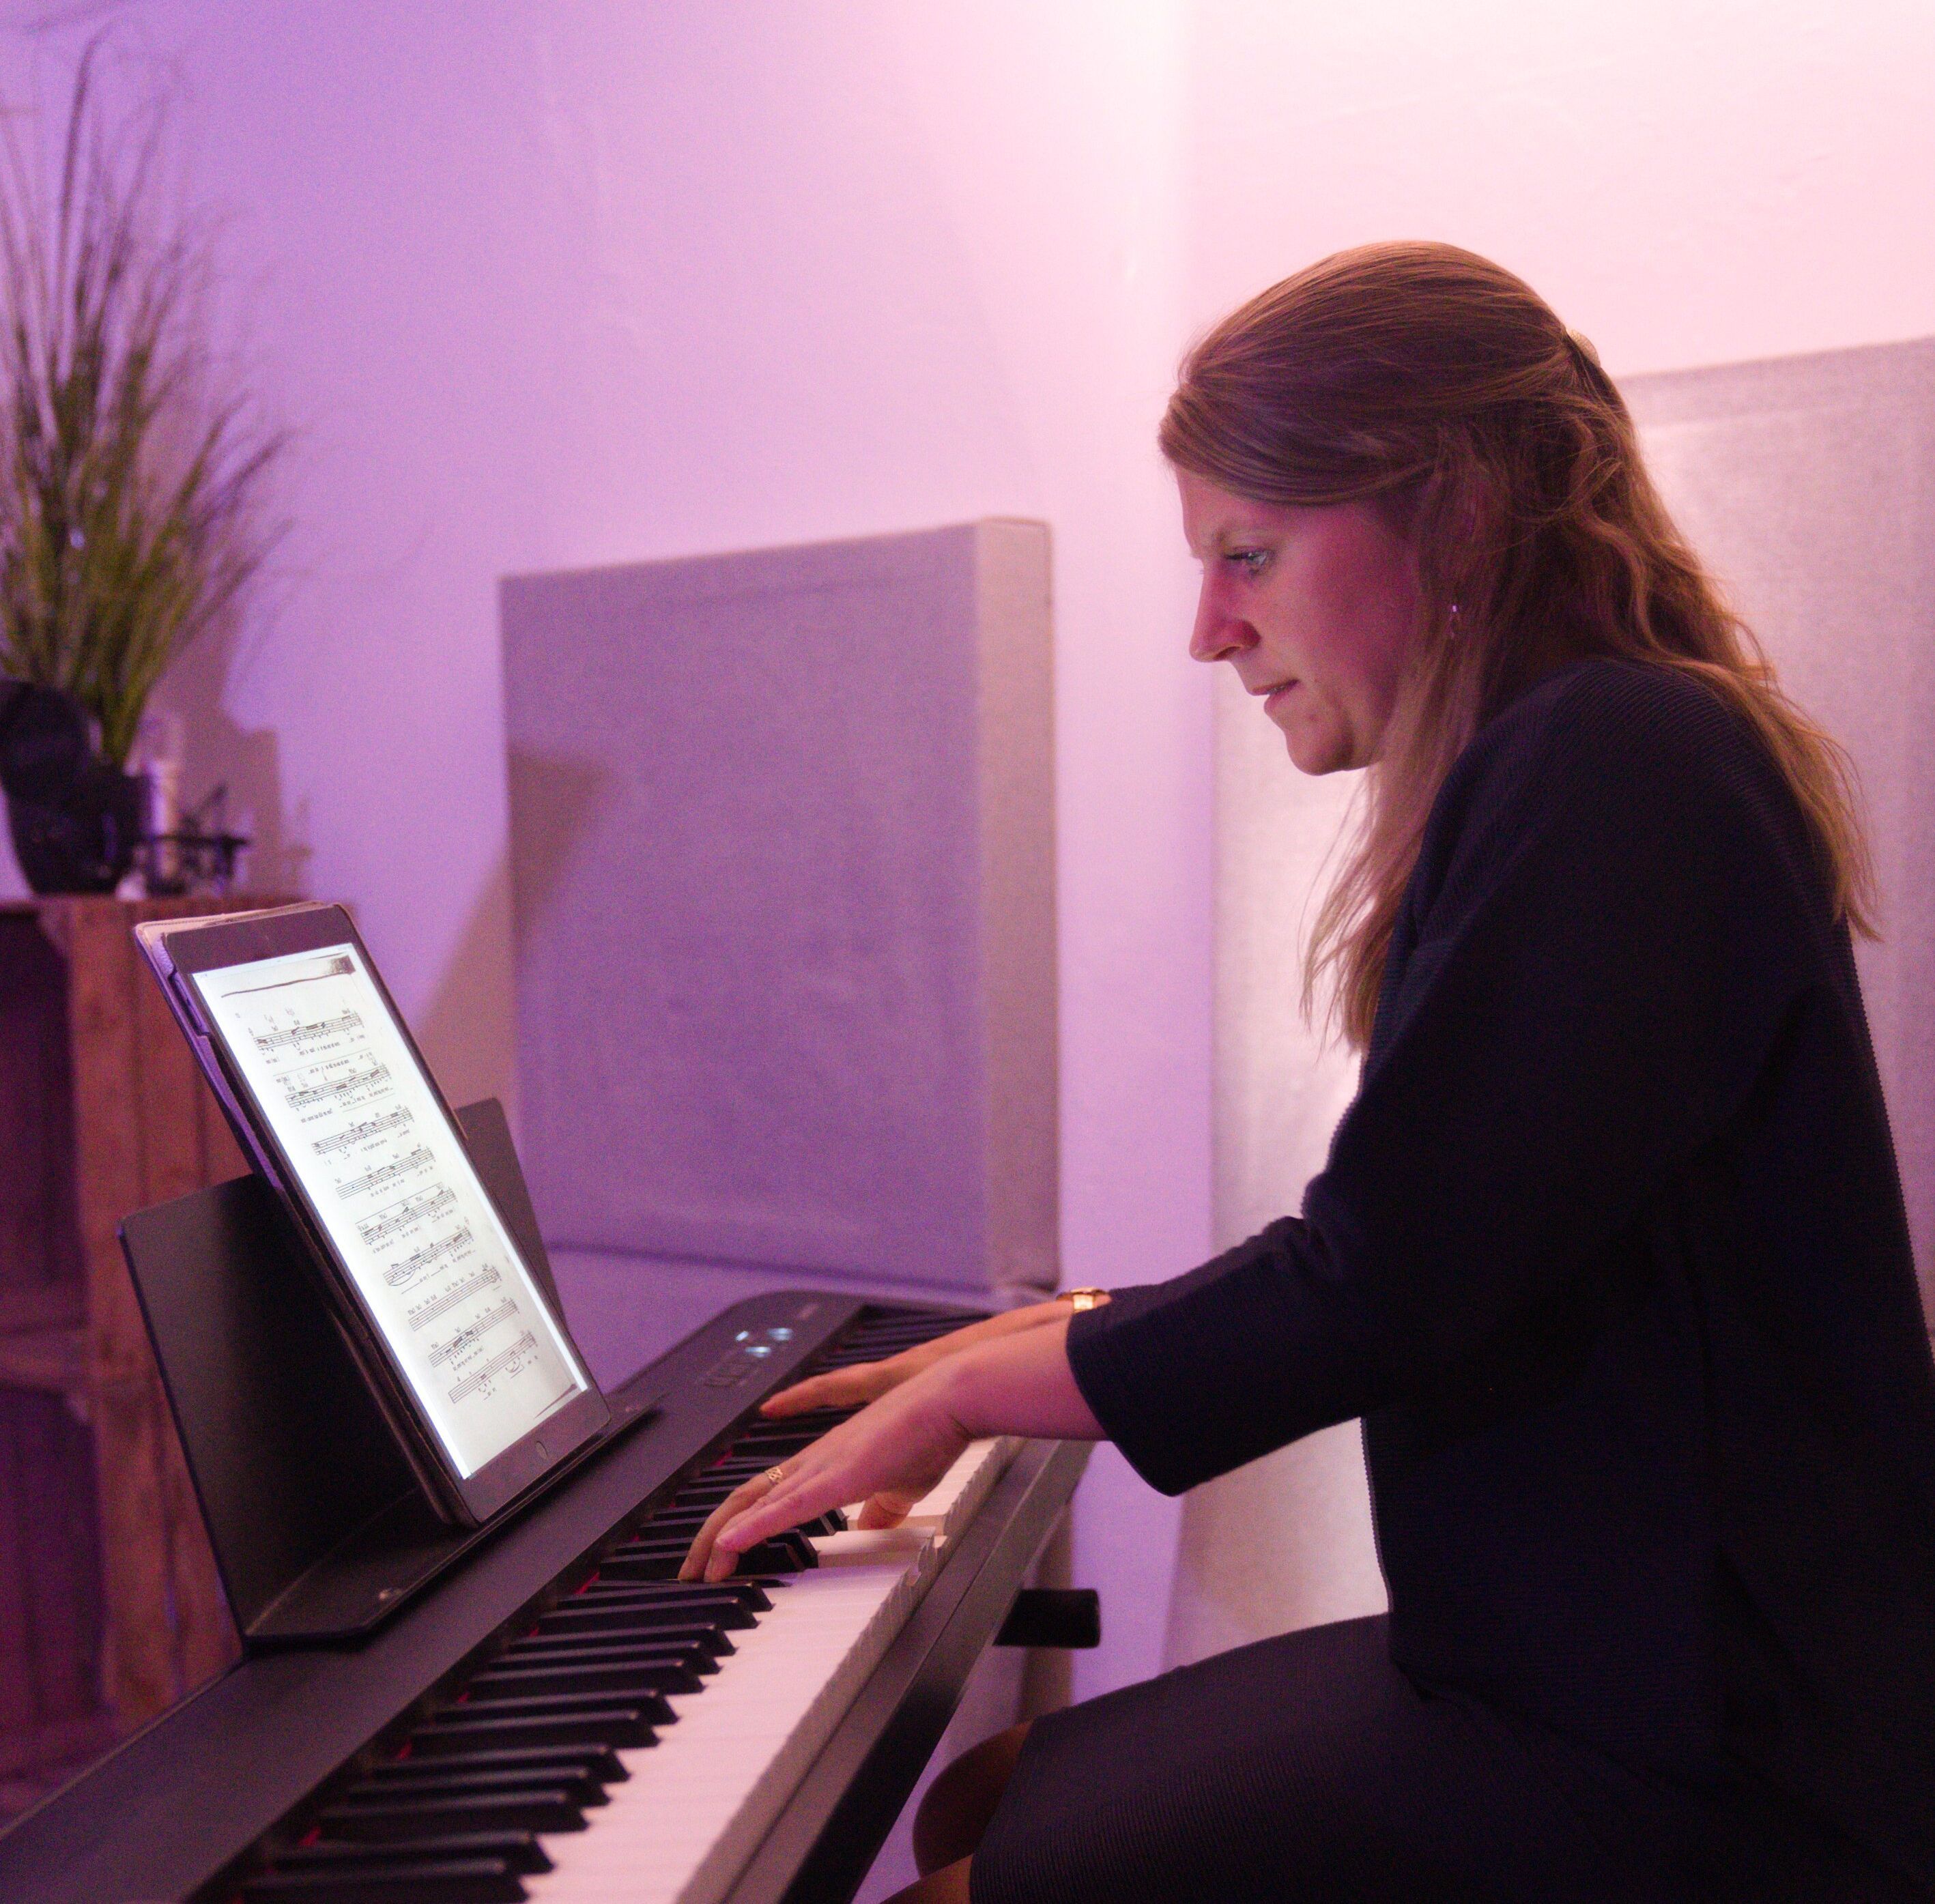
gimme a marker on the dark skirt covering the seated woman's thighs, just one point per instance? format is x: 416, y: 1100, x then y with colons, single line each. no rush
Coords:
x: 1309, y: 1768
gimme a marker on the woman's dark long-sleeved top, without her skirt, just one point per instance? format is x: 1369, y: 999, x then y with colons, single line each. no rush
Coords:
x: 1611, y: 1257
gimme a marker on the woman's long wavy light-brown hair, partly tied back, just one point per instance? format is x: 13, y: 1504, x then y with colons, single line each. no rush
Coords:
x: 1446, y: 390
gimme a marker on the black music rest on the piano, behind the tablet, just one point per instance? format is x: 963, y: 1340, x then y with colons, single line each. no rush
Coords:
x: 318, y: 1526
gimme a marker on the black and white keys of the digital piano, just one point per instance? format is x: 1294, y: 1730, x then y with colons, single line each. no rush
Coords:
x: 640, y: 1740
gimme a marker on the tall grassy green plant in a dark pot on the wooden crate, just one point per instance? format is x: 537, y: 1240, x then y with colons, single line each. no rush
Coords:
x: 133, y: 471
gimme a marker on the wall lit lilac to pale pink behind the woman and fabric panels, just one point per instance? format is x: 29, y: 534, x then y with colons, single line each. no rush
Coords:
x: 568, y: 282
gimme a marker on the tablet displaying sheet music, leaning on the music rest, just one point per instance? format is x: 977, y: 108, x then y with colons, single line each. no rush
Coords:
x: 336, y: 1106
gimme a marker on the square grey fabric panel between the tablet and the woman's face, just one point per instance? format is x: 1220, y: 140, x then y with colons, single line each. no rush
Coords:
x: 783, y: 872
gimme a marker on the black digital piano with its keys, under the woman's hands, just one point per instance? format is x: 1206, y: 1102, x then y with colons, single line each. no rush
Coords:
x: 564, y: 1719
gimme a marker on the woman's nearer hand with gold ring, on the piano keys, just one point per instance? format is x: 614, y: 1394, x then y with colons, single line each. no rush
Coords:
x: 887, y: 1456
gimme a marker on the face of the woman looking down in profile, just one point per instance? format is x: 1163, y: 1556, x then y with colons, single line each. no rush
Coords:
x: 1315, y: 609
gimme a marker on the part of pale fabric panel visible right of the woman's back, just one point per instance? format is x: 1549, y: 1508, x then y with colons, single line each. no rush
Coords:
x: 1808, y: 485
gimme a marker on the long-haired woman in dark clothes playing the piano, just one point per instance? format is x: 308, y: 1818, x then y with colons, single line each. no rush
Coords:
x: 1609, y: 1251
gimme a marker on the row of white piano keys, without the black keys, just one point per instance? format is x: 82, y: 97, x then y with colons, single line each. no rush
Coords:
x: 700, y: 1802
